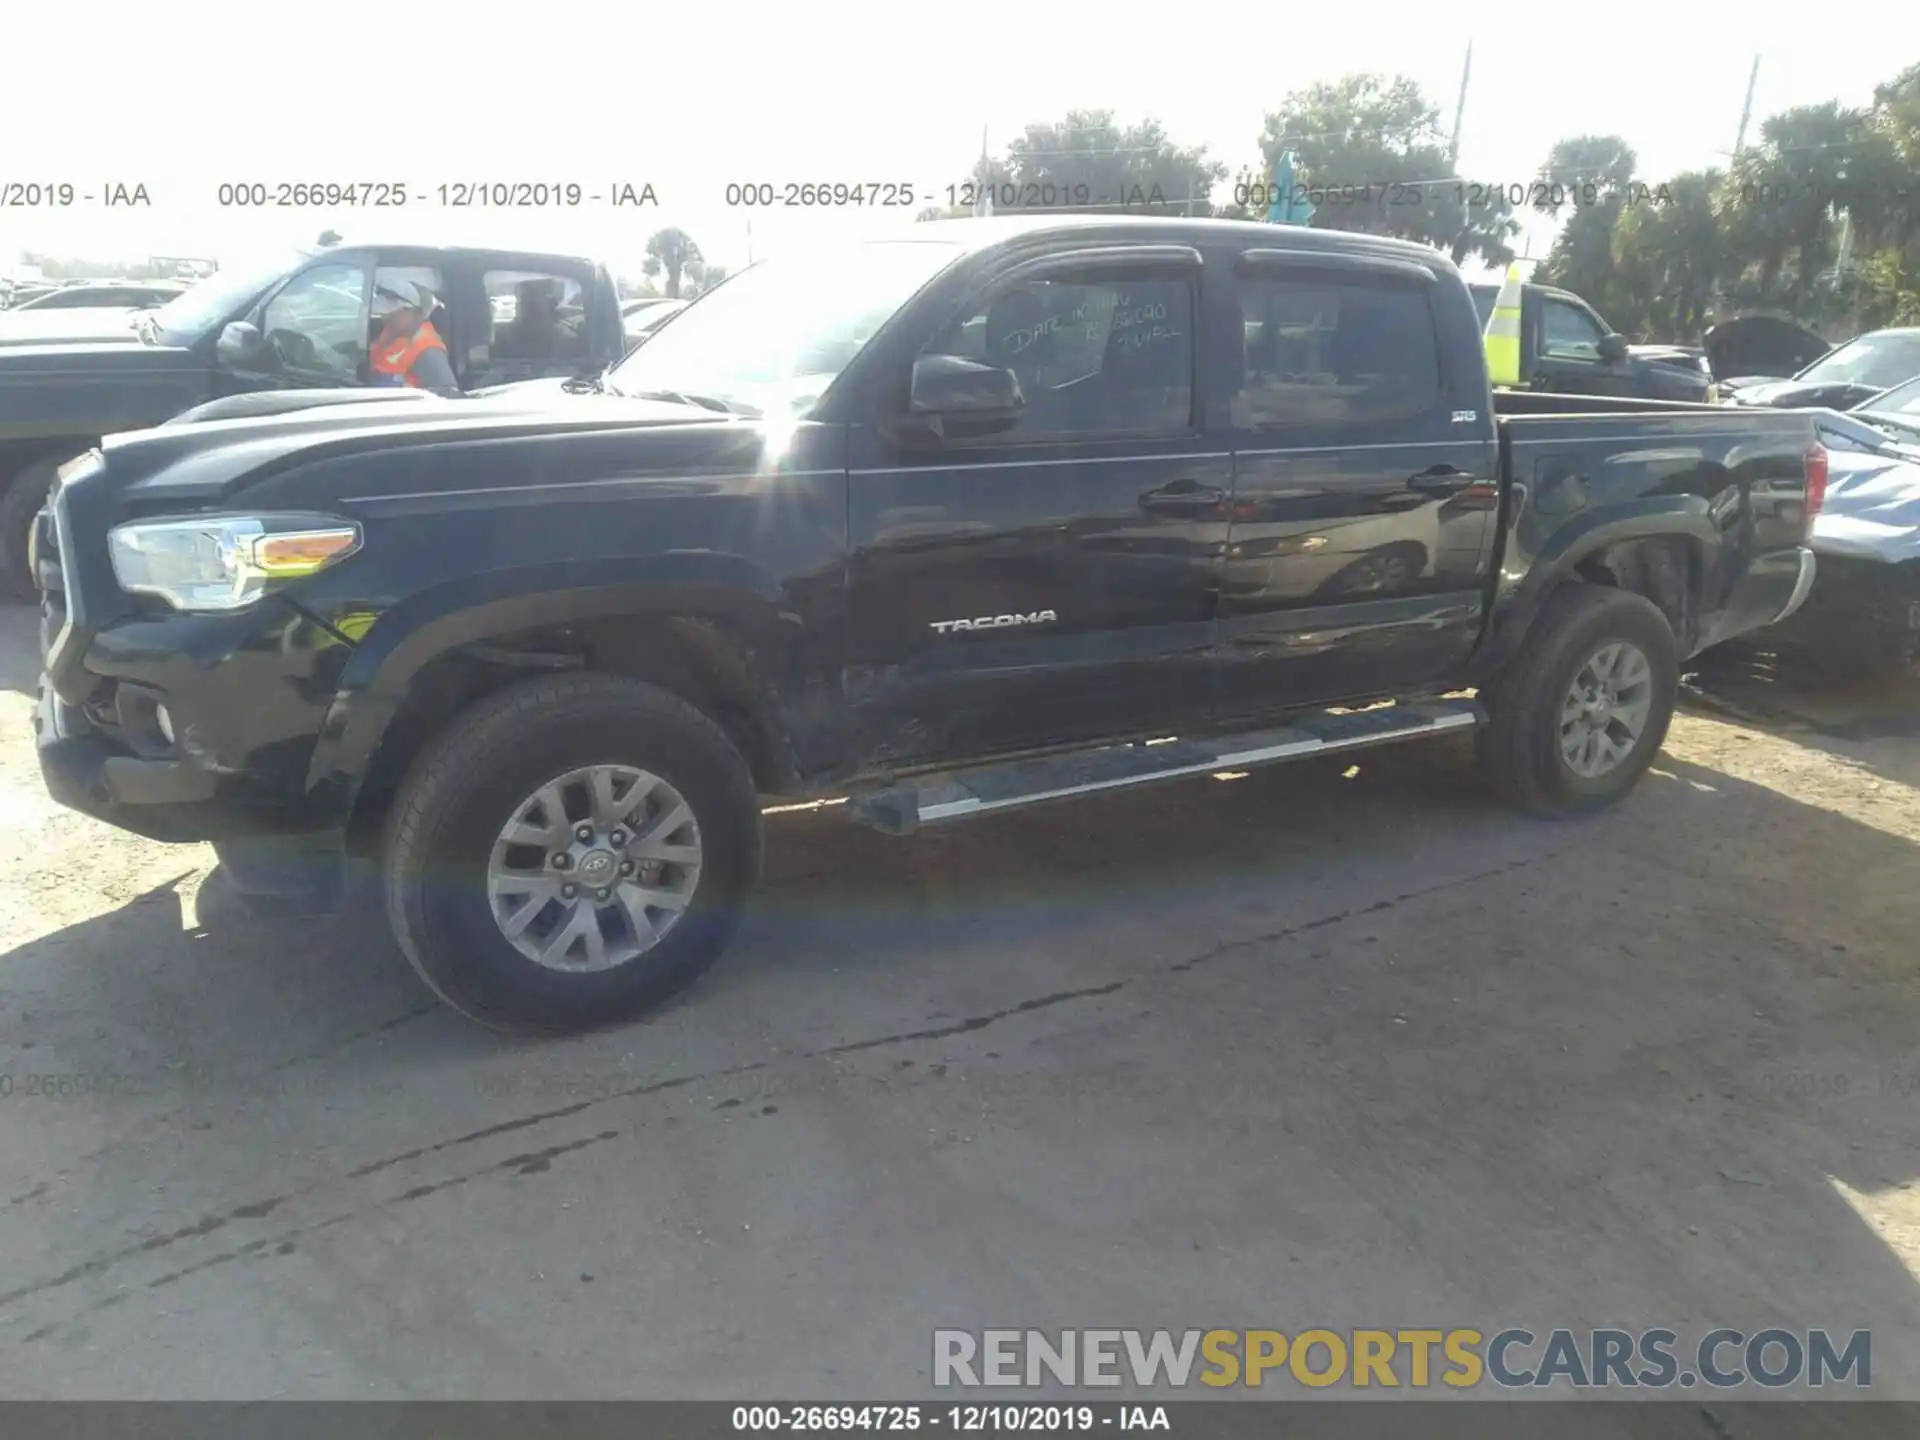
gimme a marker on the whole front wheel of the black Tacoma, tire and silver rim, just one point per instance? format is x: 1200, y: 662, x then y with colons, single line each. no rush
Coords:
x: 571, y: 853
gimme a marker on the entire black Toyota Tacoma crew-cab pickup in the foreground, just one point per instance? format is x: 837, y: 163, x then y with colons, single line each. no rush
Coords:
x: 959, y: 531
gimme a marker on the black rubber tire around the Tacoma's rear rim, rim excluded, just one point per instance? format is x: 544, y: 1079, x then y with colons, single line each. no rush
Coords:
x: 1522, y: 746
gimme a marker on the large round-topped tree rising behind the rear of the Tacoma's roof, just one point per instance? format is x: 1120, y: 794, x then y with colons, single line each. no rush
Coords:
x: 1376, y: 160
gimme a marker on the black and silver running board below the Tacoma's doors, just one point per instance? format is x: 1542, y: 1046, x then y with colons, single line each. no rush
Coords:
x: 963, y: 794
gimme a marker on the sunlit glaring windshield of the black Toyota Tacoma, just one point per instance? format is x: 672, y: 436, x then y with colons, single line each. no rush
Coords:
x: 779, y: 333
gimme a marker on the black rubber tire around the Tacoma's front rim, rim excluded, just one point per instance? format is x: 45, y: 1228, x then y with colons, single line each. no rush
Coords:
x: 466, y: 788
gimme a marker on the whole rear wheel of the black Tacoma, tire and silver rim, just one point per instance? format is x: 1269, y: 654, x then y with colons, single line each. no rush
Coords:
x: 1579, y: 717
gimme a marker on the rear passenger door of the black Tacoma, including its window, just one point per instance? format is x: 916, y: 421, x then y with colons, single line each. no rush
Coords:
x: 1364, y: 502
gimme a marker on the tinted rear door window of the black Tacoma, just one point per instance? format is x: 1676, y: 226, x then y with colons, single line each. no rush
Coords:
x: 1333, y: 350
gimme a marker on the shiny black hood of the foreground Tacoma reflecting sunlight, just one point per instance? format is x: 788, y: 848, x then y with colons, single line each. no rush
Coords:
x: 212, y: 460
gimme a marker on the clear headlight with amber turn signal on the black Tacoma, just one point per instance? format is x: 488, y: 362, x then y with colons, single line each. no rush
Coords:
x: 226, y: 562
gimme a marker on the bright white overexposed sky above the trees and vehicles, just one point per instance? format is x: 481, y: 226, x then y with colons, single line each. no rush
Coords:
x: 838, y: 91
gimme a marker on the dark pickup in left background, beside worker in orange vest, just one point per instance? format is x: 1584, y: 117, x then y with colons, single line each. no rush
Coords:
x: 291, y: 322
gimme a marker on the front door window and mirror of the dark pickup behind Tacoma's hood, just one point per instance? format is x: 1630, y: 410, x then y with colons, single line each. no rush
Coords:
x: 314, y: 333
